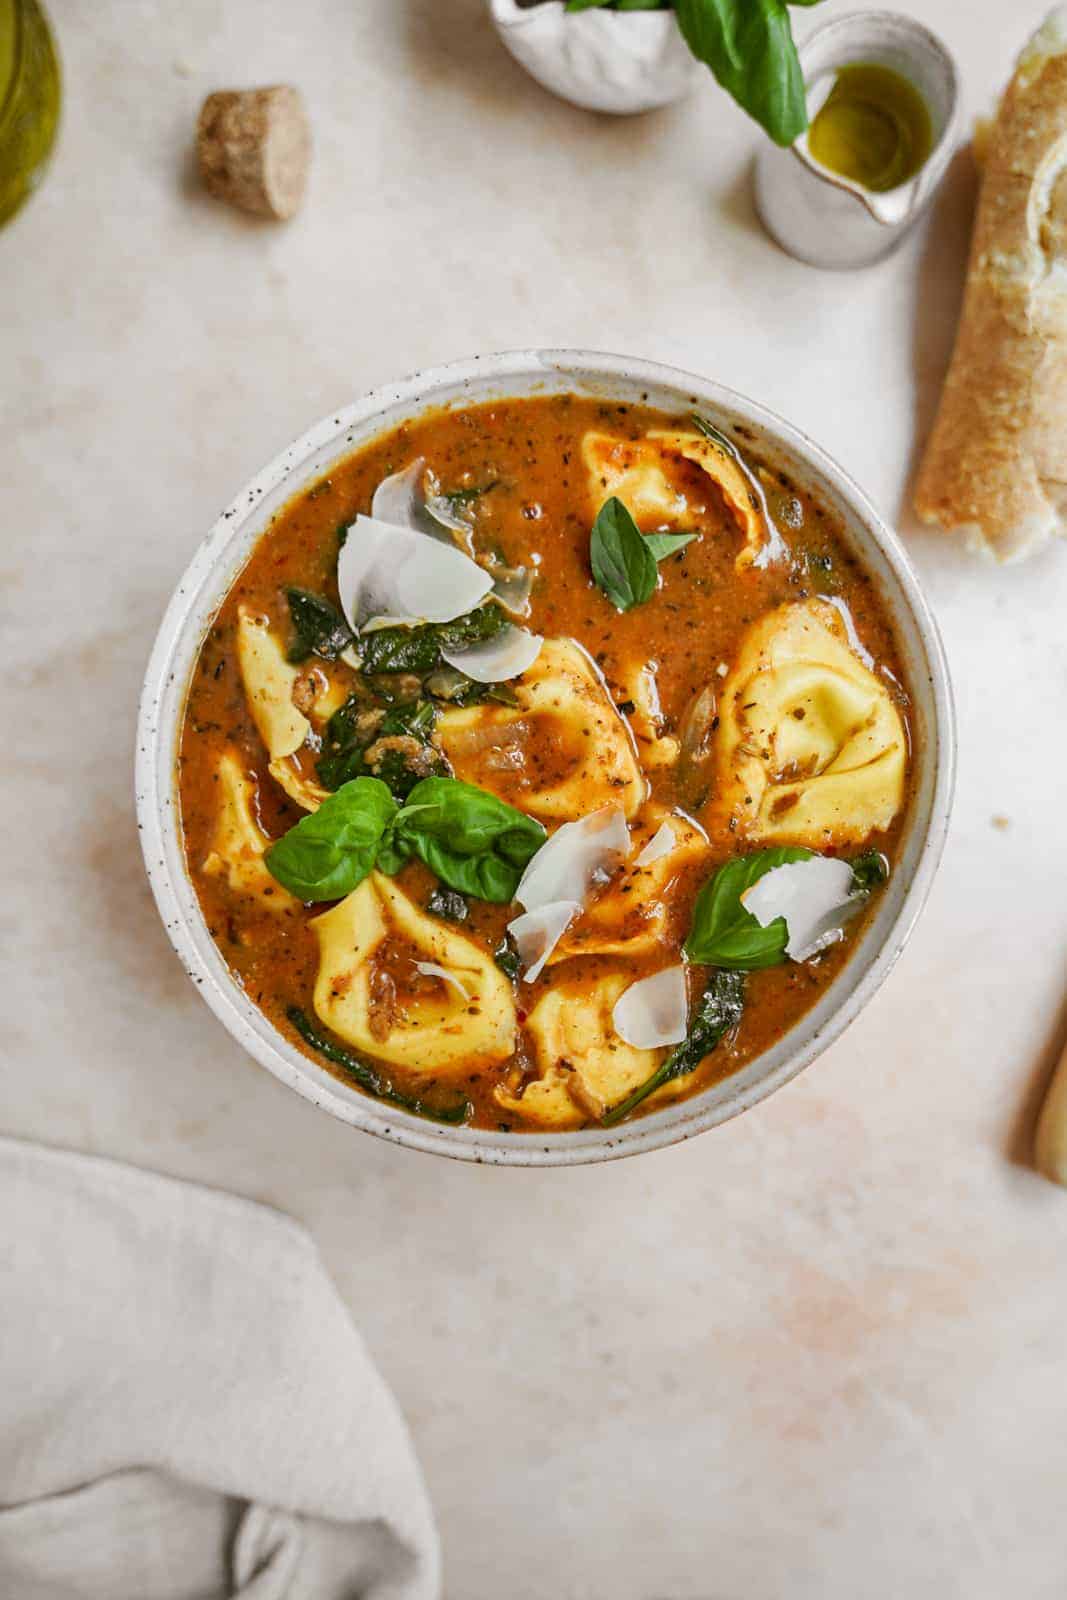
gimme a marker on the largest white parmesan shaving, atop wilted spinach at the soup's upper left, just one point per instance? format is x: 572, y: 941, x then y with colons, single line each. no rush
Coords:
x: 390, y: 572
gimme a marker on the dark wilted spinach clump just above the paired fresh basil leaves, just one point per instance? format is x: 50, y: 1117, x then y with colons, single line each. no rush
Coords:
x: 394, y: 746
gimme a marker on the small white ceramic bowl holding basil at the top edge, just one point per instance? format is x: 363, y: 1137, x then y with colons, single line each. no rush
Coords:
x: 615, y: 62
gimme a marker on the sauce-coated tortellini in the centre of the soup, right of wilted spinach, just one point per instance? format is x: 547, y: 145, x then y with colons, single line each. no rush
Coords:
x: 561, y: 753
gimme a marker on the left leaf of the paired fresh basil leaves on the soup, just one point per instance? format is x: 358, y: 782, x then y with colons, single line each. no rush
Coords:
x: 332, y: 850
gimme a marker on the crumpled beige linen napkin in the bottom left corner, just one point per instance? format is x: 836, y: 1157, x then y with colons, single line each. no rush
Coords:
x: 186, y: 1410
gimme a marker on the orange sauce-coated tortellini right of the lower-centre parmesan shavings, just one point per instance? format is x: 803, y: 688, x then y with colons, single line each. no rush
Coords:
x: 631, y: 914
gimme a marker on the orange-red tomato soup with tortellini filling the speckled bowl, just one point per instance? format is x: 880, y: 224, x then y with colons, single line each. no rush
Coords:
x: 687, y: 706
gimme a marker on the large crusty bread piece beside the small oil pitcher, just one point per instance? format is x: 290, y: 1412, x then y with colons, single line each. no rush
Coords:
x: 996, y: 466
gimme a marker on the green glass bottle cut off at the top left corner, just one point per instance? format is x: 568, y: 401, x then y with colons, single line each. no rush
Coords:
x: 30, y: 102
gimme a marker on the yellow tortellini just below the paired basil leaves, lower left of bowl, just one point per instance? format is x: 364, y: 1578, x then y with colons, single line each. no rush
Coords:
x: 431, y: 1026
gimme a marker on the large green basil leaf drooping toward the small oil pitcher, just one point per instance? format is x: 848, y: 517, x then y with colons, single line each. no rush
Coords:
x: 749, y: 47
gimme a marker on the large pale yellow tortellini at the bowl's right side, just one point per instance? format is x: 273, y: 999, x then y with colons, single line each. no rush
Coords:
x: 810, y: 748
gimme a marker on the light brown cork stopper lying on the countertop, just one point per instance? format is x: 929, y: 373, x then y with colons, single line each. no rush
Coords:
x: 254, y: 148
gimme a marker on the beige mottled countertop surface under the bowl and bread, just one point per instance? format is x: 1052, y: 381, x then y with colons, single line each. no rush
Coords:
x: 817, y: 1354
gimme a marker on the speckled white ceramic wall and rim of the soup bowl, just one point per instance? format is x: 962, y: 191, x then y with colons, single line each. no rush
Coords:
x: 465, y: 383
